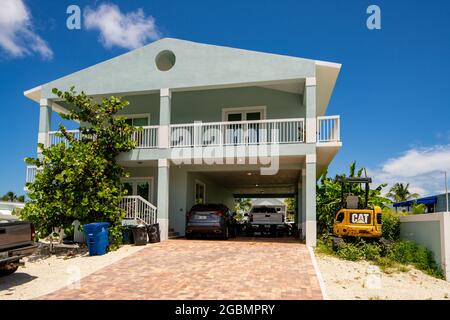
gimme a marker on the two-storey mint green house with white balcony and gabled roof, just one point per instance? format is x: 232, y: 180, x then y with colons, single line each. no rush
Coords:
x: 218, y: 123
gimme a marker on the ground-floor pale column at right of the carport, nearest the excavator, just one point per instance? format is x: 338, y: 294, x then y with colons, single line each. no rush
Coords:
x: 310, y: 197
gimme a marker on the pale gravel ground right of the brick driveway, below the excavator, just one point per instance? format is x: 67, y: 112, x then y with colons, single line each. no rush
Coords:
x: 349, y: 280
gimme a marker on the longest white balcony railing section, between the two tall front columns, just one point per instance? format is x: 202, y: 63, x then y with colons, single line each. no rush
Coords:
x: 237, y: 133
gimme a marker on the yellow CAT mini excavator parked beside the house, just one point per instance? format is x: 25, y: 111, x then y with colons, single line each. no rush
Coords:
x: 356, y: 218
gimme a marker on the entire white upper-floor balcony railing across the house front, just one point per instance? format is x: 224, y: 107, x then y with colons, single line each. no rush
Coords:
x: 201, y: 134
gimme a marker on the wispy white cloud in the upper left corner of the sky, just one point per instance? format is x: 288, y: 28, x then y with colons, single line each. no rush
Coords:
x: 17, y: 37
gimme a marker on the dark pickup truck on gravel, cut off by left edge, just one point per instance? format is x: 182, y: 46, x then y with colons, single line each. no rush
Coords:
x: 16, y: 242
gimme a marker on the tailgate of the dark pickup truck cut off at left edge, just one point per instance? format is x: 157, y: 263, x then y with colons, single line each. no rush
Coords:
x: 14, y: 234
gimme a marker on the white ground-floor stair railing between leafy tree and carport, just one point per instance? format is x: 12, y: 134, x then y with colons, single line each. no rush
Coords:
x: 138, y: 208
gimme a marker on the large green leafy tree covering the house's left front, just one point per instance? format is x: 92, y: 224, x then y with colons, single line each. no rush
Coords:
x: 80, y: 179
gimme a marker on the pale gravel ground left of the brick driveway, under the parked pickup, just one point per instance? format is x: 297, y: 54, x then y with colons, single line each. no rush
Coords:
x: 43, y: 274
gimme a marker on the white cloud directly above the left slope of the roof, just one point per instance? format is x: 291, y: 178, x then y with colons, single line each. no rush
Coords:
x: 127, y: 30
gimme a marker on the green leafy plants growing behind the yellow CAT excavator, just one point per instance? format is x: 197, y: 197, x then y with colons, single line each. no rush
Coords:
x: 328, y: 197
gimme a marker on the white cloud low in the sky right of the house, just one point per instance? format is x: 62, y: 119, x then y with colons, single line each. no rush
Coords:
x: 422, y: 168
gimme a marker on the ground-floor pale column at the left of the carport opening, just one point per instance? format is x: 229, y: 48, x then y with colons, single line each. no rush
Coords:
x: 163, y: 197
